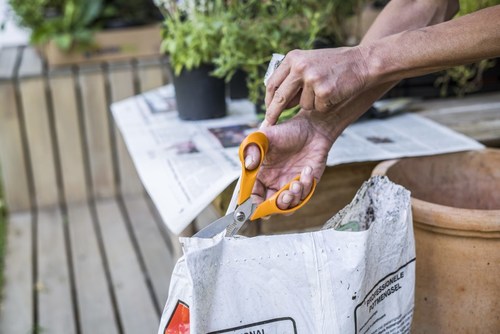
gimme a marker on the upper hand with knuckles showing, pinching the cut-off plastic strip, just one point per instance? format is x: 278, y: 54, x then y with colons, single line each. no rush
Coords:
x: 315, y: 79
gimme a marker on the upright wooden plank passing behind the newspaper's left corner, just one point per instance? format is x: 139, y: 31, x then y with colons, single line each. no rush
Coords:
x: 122, y: 86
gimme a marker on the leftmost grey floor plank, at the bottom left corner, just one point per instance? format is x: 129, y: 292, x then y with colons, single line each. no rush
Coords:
x: 16, y: 306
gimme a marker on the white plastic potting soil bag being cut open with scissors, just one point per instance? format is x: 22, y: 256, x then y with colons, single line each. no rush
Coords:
x: 355, y: 276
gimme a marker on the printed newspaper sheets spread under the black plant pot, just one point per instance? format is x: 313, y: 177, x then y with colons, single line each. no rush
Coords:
x: 184, y: 165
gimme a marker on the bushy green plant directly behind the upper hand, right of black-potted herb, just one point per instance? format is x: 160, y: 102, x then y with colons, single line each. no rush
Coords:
x: 253, y: 30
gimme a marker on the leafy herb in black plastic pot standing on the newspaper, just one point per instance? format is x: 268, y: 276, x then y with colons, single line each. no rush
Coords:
x: 191, y: 38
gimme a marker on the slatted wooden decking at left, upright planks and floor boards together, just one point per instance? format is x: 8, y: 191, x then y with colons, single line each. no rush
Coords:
x: 86, y: 252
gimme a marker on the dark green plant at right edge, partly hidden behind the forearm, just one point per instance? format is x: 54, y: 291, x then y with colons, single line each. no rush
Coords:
x: 465, y: 79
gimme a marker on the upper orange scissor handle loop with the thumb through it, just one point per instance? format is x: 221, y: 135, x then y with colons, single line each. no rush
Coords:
x: 248, y: 177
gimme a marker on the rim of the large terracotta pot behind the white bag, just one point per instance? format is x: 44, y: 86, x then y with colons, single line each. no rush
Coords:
x: 447, y: 217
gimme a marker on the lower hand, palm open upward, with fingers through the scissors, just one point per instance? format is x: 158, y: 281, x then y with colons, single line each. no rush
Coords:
x: 297, y: 146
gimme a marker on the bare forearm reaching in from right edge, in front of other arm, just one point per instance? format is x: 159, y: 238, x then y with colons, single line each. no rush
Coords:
x: 417, y: 52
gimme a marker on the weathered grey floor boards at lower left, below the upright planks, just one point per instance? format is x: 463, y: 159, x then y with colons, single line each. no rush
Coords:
x: 102, y: 267
